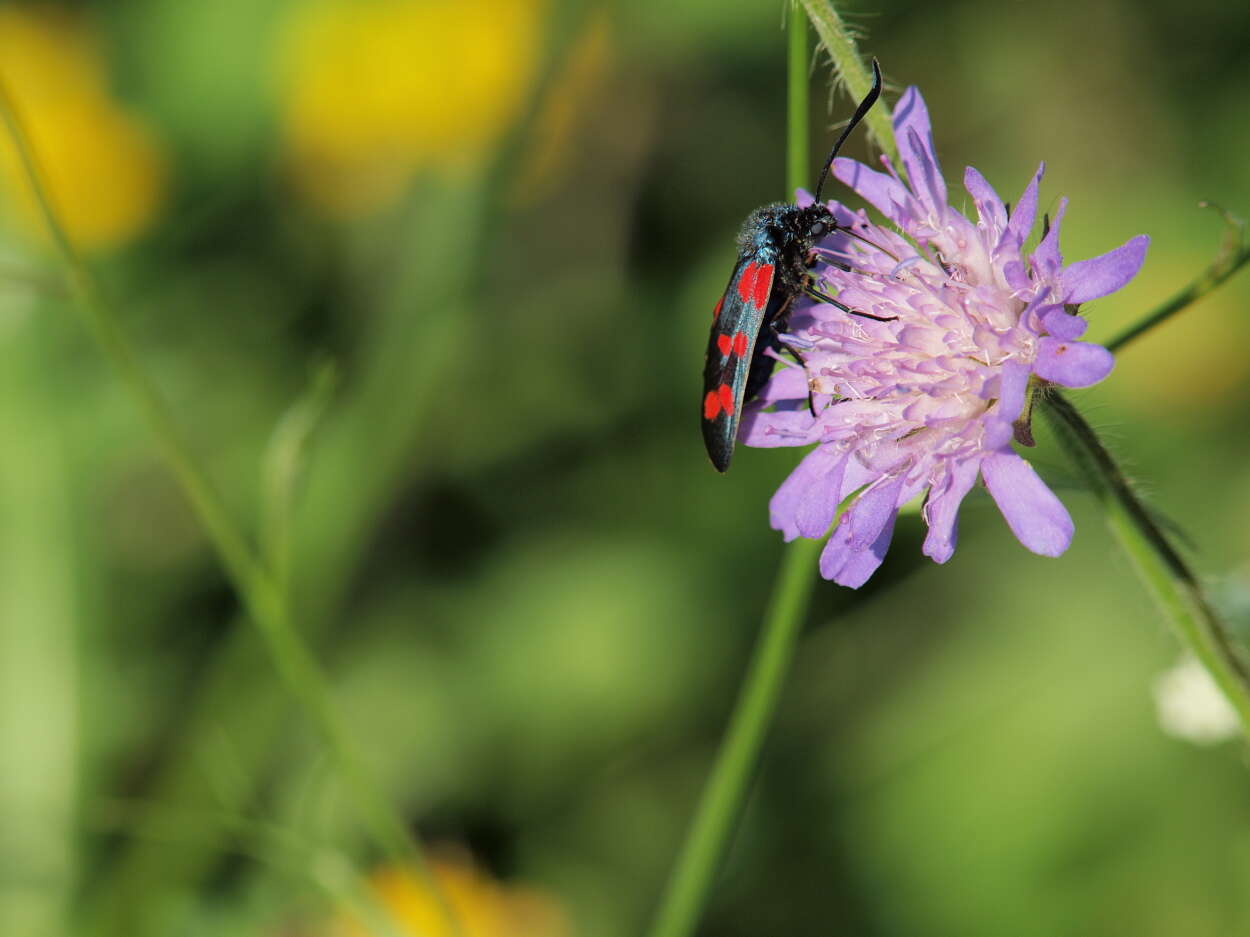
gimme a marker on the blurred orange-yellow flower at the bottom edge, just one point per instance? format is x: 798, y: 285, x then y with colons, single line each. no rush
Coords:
x: 483, y: 906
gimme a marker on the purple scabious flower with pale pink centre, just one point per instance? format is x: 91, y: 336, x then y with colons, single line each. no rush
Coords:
x: 929, y: 402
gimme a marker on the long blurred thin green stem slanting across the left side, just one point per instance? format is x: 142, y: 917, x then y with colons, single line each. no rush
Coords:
x: 266, y: 602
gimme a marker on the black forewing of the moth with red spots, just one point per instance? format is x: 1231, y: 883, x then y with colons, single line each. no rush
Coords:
x: 732, y: 353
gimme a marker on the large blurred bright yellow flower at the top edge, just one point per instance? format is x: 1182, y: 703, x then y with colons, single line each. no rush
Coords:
x: 374, y: 91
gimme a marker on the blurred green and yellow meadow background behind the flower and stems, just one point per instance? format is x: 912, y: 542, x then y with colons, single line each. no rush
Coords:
x: 503, y: 224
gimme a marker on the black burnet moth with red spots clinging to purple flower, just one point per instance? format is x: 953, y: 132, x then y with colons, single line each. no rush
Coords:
x: 773, y: 268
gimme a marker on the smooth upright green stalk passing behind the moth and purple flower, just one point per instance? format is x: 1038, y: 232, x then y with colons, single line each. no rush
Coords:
x: 726, y: 793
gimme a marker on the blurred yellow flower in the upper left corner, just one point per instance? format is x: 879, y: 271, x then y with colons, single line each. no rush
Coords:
x: 102, y: 167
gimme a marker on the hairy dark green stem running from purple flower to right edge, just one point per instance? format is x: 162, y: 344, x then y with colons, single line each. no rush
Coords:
x: 1169, y: 579
